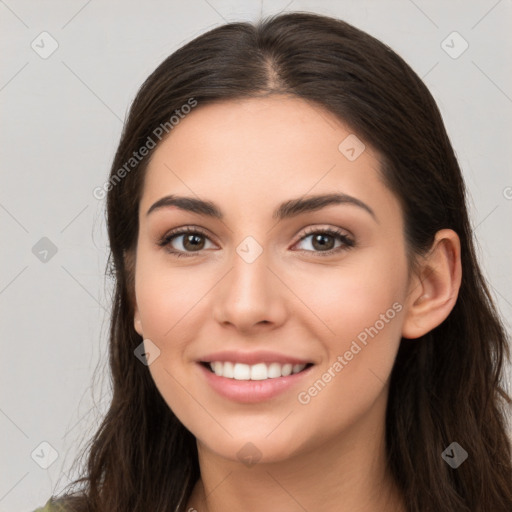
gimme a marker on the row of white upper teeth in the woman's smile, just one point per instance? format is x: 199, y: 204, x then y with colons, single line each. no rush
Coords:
x: 260, y: 371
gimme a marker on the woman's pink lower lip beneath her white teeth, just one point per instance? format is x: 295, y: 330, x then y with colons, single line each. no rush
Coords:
x: 252, y: 391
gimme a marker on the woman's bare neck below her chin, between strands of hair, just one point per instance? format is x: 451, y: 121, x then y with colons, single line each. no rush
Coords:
x: 346, y: 473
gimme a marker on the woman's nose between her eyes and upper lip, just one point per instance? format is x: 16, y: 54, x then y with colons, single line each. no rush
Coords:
x: 251, y: 297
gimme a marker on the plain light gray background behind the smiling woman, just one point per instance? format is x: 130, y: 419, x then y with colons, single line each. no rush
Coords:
x: 61, y: 121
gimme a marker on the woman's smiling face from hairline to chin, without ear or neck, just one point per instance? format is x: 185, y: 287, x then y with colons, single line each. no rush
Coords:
x: 268, y: 283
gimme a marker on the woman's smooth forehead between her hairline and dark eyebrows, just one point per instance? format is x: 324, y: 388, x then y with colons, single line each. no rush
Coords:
x: 256, y: 151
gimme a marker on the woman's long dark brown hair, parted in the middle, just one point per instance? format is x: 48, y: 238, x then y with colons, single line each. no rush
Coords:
x: 446, y: 386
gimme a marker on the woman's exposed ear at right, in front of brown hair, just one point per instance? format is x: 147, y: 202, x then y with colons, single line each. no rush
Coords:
x: 434, y: 288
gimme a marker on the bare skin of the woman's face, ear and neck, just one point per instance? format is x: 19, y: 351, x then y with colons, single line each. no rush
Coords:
x: 249, y: 156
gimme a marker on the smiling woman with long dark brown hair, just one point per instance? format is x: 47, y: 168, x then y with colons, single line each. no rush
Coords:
x: 299, y: 319
